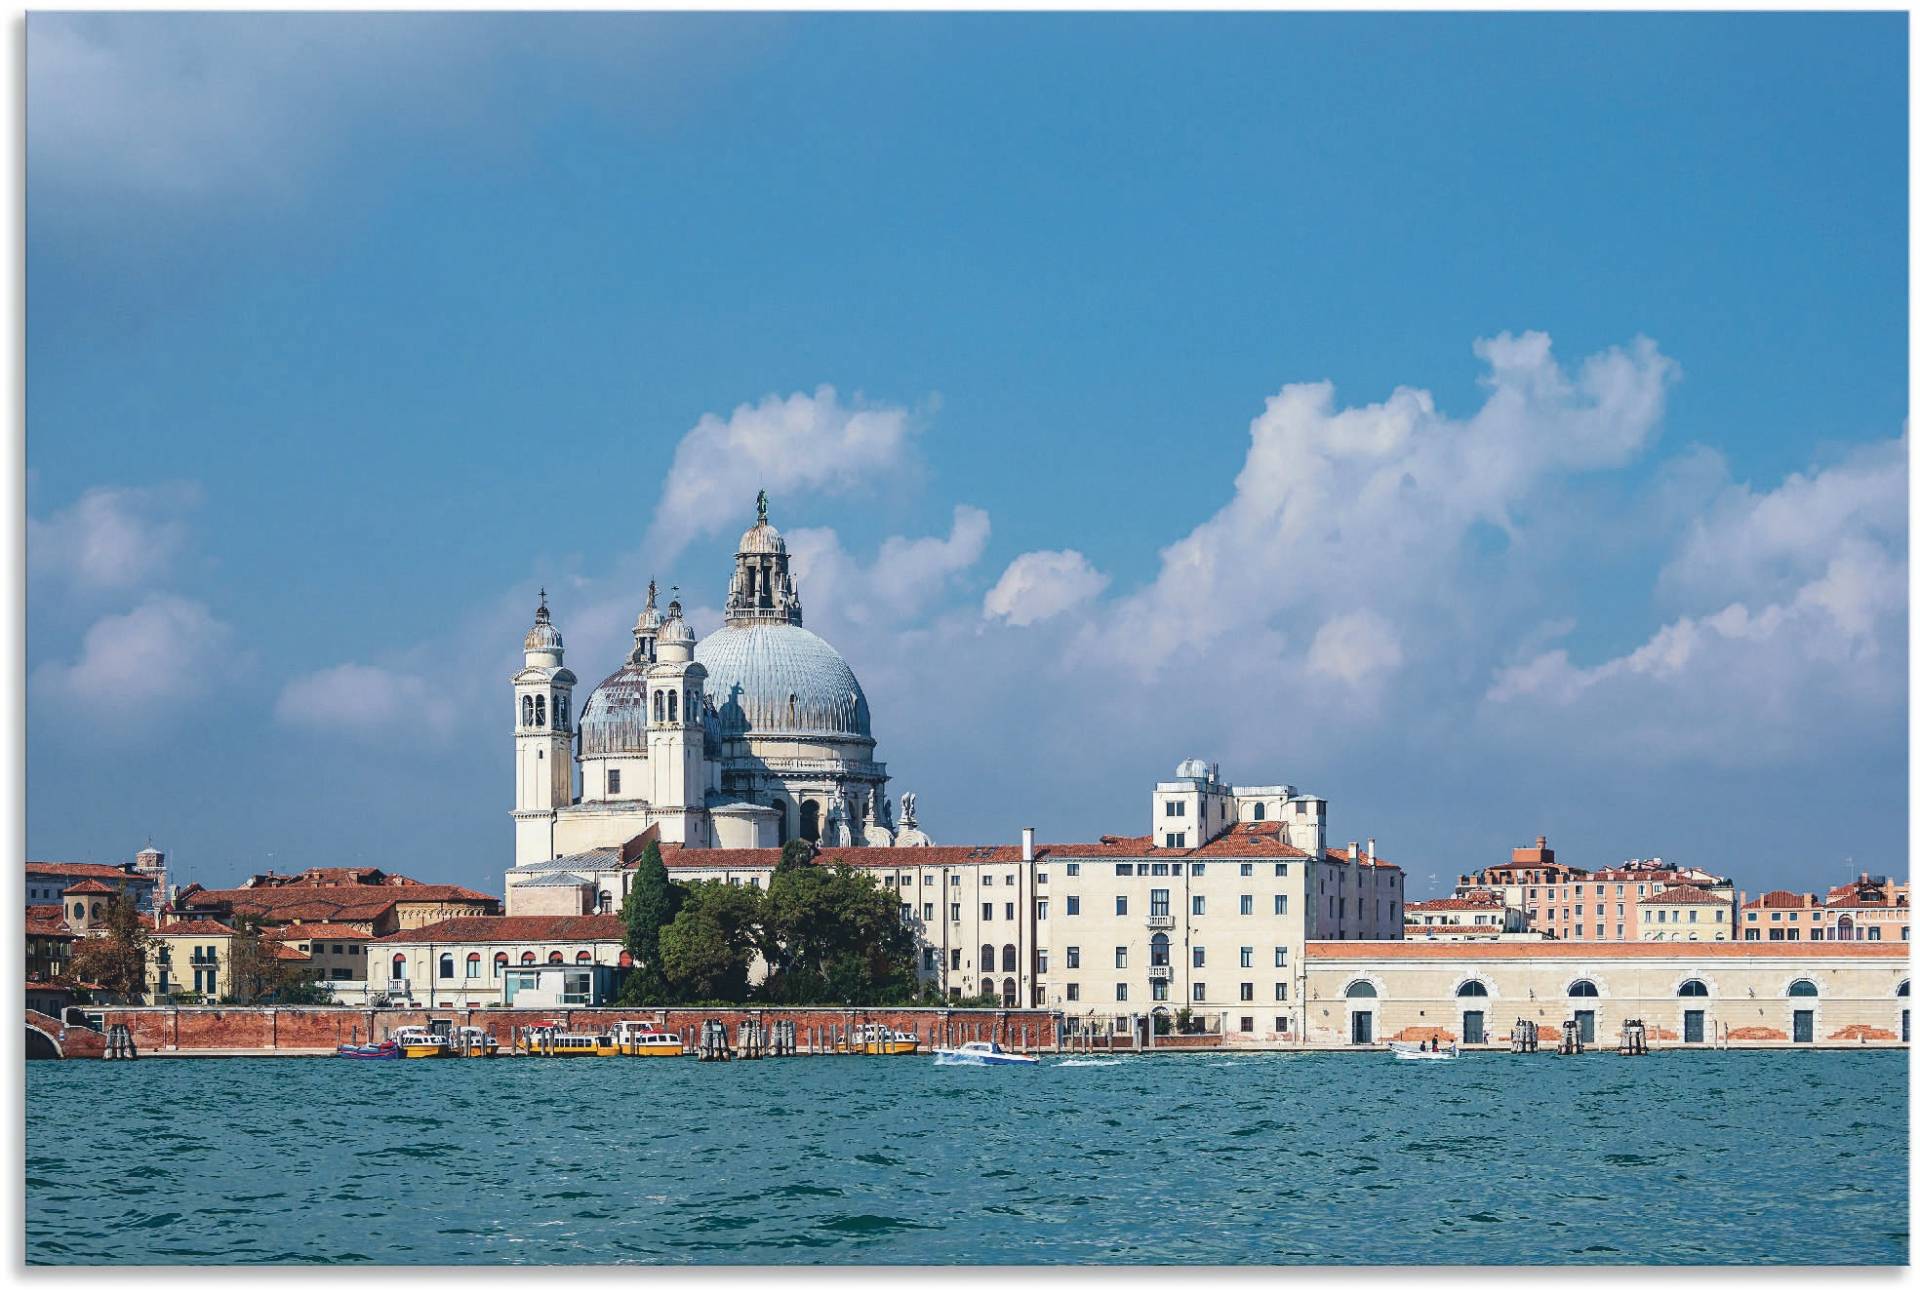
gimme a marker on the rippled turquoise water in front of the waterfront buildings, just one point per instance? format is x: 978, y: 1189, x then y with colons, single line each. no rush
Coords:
x: 1310, y: 1159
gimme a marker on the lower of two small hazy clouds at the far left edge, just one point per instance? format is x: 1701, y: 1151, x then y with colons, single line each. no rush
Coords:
x: 164, y: 652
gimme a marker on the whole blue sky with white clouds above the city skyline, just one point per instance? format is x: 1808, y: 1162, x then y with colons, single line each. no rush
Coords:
x: 348, y: 333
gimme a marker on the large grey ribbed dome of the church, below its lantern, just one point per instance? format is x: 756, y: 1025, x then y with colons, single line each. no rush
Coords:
x: 780, y: 679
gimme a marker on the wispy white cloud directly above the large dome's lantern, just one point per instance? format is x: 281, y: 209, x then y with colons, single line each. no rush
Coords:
x: 796, y: 444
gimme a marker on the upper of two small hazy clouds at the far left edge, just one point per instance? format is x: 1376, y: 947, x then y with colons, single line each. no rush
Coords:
x: 112, y: 539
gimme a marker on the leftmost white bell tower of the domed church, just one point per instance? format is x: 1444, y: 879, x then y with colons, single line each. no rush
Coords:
x: 542, y: 738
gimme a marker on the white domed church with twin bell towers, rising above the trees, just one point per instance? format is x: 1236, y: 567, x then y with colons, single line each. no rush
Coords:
x: 744, y: 740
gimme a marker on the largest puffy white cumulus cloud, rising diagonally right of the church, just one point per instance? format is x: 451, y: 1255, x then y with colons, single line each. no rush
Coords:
x: 1374, y: 504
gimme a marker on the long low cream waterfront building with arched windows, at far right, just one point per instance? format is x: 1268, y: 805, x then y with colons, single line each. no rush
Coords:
x: 1685, y: 994
